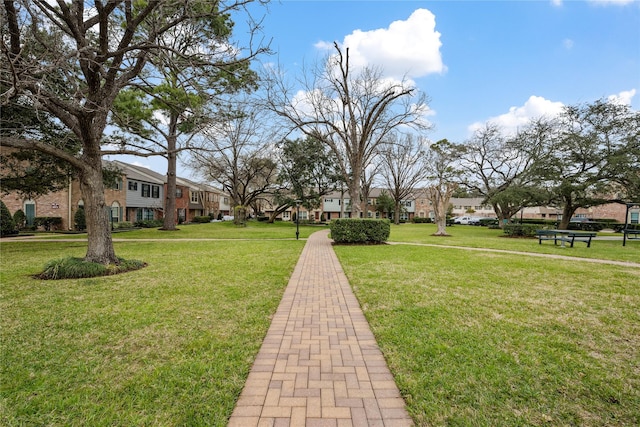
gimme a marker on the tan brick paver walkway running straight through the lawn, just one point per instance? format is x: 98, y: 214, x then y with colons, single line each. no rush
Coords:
x: 319, y: 364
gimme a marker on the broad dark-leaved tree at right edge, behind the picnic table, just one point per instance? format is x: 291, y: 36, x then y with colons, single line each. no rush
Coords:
x: 592, y: 158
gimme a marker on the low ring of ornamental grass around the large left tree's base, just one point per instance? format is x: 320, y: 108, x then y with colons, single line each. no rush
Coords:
x: 78, y: 268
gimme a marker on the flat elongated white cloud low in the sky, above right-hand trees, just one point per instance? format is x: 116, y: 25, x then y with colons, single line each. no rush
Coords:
x: 534, y: 107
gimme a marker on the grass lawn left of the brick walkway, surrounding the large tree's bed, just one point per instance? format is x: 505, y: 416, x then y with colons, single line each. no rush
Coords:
x: 168, y: 345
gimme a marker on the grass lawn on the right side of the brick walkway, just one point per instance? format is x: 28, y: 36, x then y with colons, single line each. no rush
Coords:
x: 480, y: 338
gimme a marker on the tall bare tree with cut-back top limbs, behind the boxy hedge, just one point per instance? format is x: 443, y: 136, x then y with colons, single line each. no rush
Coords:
x: 353, y: 113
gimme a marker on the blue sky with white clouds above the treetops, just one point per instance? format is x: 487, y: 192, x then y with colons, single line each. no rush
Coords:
x: 505, y: 61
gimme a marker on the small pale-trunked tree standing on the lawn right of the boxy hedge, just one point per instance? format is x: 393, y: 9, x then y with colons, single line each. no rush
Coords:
x: 443, y: 176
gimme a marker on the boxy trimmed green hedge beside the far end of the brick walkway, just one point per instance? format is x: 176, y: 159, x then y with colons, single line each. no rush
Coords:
x: 360, y: 230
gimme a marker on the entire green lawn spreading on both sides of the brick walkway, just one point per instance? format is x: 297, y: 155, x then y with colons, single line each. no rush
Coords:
x: 473, y: 338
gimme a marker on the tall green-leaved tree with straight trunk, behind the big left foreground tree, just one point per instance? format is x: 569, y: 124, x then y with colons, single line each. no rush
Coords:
x: 166, y: 112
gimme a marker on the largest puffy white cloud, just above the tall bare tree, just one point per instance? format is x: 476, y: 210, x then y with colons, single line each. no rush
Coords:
x: 408, y: 48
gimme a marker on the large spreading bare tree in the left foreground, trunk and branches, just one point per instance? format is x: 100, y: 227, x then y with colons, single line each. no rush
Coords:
x: 72, y: 60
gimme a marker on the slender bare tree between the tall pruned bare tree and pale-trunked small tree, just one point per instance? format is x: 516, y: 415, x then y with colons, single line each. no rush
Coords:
x: 403, y: 168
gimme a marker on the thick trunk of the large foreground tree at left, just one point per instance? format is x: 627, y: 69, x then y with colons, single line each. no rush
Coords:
x: 100, y: 245
